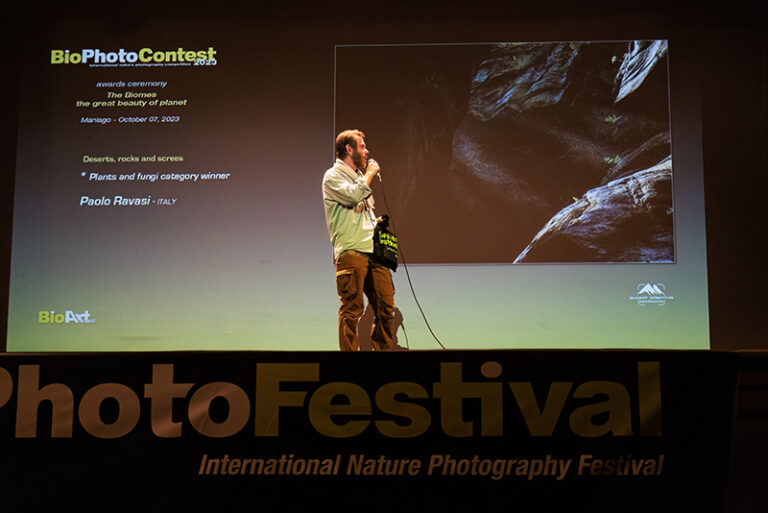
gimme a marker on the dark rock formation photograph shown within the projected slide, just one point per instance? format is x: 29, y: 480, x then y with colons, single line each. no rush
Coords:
x: 517, y: 152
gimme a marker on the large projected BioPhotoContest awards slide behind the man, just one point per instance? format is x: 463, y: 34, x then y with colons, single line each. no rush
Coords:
x: 168, y: 190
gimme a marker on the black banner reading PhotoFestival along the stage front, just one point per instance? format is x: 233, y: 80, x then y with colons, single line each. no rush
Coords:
x: 489, y: 430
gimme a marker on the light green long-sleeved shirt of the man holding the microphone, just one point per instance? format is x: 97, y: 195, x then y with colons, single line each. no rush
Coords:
x: 348, y: 209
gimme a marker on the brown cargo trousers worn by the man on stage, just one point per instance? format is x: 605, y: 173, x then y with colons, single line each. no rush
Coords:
x: 358, y: 274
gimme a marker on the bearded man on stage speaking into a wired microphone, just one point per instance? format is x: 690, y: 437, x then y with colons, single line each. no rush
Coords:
x: 350, y: 219
